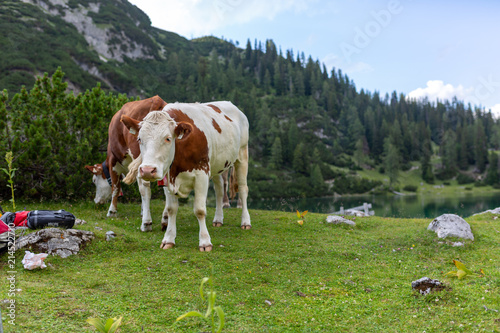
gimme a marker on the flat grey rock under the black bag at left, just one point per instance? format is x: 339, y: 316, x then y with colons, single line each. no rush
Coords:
x: 60, y: 242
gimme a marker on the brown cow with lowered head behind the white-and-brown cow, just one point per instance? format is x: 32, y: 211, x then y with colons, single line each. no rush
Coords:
x: 122, y: 149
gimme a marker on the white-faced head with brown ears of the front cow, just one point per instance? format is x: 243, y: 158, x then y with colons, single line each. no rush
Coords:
x: 156, y: 135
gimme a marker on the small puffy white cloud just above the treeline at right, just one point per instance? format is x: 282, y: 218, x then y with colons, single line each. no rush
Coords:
x: 437, y: 89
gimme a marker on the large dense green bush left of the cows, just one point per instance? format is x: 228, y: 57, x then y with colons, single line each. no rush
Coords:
x: 53, y: 134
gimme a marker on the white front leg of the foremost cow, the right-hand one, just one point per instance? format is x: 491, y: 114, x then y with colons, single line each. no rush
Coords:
x: 200, y: 211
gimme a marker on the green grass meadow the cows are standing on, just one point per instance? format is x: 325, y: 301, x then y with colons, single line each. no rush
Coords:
x: 318, y: 277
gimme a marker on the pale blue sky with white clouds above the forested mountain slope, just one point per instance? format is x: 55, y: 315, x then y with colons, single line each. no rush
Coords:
x: 437, y: 49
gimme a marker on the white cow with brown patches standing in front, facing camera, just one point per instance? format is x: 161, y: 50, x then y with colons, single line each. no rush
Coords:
x: 189, y: 144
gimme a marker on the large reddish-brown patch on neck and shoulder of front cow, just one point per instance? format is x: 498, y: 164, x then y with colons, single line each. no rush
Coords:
x: 191, y: 152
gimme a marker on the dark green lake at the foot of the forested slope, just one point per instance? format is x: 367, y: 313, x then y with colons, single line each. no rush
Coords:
x: 404, y: 206
